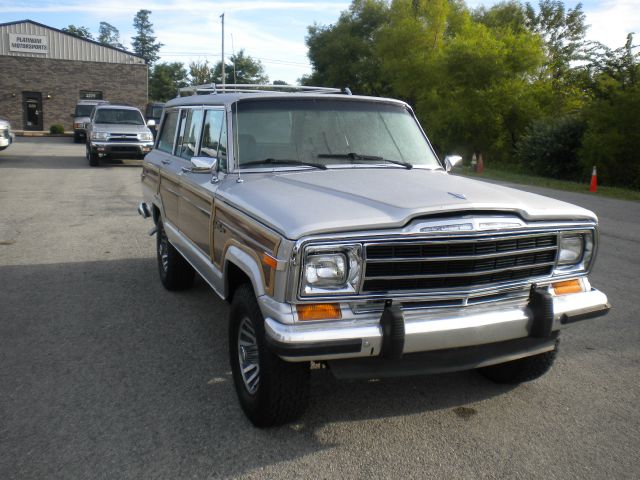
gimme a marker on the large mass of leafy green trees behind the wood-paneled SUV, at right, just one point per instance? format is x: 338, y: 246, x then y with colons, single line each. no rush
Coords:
x: 490, y: 80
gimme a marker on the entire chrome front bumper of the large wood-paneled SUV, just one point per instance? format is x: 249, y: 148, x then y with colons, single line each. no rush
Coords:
x: 431, y: 330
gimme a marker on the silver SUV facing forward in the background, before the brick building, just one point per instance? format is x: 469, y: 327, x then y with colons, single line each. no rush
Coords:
x: 117, y: 130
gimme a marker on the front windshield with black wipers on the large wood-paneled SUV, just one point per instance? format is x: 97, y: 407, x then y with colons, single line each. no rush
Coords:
x: 328, y: 132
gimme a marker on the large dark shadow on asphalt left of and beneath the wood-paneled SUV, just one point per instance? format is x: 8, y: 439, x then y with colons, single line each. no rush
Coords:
x: 104, y: 373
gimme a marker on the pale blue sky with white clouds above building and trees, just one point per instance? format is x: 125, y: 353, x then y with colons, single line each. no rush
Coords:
x: 270, y: 31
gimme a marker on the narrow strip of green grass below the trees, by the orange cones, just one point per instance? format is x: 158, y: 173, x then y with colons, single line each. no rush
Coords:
x: 512, y: 177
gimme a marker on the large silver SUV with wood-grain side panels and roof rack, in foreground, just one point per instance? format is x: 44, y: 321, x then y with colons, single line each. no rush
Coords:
x: 339, y: 237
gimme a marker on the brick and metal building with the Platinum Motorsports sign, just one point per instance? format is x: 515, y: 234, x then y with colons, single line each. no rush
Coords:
x: 45, y: 71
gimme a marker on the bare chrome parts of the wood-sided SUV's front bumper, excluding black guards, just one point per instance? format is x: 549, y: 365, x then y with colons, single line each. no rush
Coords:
x: 428, y: 330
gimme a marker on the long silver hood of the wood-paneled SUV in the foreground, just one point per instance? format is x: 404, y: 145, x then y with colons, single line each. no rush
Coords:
x: 313, y: 202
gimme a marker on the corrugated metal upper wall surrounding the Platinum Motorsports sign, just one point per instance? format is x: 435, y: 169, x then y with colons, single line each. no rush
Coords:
x: 63, y: 46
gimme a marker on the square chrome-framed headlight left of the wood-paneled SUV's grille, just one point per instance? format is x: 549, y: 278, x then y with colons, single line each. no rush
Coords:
x: 331, y: 269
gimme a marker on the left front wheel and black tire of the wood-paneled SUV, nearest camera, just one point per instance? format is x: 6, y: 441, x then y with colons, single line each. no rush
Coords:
x: 271, y: 391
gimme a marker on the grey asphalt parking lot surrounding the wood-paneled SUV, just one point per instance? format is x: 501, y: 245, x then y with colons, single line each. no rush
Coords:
x: 104, y: 374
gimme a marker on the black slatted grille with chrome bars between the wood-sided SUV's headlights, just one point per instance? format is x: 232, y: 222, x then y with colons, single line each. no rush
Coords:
x: 458, y: 263
